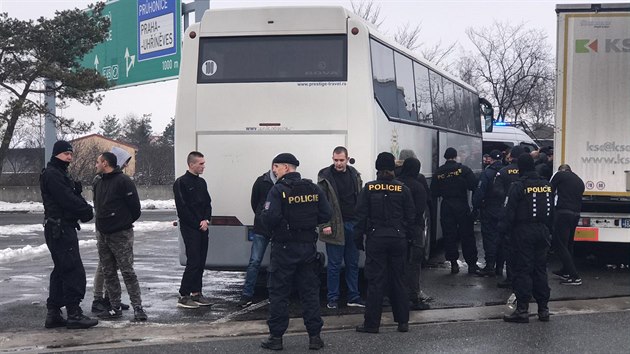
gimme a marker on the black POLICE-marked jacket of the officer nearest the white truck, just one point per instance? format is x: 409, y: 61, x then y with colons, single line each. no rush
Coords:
x: 529, y: 201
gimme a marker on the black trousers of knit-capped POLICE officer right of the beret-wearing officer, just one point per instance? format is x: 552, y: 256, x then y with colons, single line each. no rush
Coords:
x: 385, y: 268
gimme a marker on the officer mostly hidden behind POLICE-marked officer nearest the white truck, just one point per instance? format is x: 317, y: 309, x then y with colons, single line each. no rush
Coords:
x: 502, y: 182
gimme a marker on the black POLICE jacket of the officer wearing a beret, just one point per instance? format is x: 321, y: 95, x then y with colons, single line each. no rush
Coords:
x: 291, y: 221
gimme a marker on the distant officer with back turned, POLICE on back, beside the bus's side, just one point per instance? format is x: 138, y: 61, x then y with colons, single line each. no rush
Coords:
x: 452, y: 181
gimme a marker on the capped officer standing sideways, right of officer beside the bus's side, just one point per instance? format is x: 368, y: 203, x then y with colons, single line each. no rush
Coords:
x: 490, y: 202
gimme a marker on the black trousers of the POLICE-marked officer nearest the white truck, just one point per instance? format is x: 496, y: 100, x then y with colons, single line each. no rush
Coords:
x: 530, y: 244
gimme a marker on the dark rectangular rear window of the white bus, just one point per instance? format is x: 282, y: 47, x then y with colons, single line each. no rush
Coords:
x: 272, y: 59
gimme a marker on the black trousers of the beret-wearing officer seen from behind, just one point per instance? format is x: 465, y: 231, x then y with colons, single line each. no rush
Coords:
x: 293, y: 263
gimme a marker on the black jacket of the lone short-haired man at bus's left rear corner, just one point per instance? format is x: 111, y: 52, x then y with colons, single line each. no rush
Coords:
x: 192, y: 200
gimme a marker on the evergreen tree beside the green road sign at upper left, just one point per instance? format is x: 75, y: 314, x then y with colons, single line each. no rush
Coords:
x: 31, y: 51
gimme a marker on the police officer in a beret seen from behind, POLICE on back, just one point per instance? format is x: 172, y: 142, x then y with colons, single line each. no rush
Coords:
x: 293, y: 209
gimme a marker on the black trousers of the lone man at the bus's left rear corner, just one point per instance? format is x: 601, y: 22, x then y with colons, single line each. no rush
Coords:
x: 196, y: 242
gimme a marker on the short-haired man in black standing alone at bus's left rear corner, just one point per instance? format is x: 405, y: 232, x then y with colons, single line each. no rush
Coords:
x: 194, y: 210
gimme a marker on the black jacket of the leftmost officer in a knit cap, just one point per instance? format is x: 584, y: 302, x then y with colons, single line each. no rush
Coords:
x: 61, y: 195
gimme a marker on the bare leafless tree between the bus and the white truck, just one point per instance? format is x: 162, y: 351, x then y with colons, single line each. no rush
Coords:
x: 511, y: 63
